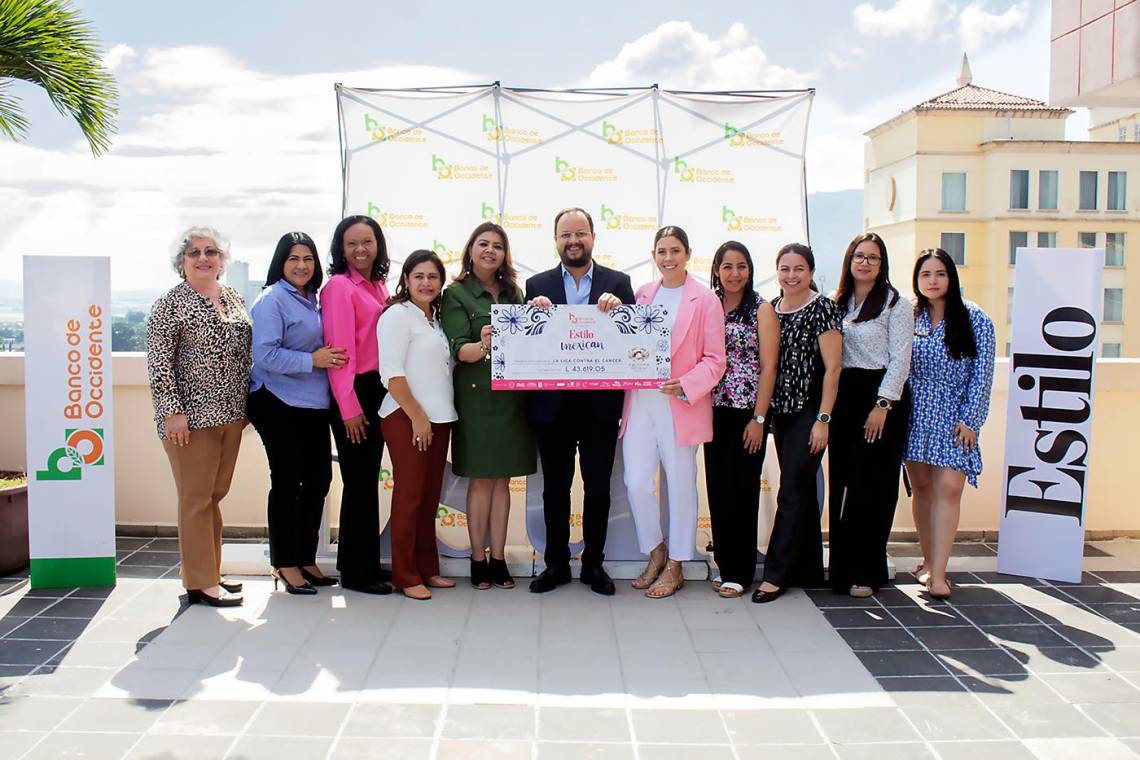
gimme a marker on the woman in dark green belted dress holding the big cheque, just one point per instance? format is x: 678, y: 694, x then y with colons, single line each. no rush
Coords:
x: 492, y: 442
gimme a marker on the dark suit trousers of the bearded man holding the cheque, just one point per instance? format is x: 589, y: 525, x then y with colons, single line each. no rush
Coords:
x: 576, y: 430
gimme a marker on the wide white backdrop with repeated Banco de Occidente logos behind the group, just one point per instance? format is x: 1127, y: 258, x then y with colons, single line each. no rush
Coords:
x: 430, y: 165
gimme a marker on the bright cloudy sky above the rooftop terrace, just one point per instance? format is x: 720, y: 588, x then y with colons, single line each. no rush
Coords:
x: 229, y: 116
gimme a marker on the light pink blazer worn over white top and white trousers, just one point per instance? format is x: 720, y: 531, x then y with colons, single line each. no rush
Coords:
x: 698, y: 359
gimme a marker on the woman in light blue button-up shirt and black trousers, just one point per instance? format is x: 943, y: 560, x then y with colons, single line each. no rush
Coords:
x: 289, y: 406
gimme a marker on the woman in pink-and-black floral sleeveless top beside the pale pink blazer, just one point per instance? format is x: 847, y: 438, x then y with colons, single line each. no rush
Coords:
x: 735, y: 457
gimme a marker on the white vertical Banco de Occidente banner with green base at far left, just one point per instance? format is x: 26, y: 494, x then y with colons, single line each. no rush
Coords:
x: 71, y: 465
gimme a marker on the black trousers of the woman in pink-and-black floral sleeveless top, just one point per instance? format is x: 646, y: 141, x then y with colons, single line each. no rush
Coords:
x: 732, y: 480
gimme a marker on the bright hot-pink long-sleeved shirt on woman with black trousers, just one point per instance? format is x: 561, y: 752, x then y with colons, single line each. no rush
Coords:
x: 351, y: 307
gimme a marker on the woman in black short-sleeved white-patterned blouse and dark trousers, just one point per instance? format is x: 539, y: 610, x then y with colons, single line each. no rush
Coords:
x: 808, y: 378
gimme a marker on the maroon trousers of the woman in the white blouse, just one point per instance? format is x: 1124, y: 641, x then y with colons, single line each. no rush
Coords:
x: 419, y: 479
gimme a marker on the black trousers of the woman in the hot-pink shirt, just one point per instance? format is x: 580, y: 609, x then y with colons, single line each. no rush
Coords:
x: 359, y: 547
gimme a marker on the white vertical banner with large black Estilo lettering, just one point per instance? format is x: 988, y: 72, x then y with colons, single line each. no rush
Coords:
x: 1049, y: 419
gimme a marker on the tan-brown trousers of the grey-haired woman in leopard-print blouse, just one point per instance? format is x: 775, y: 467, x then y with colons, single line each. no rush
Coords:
x: 203, y: 470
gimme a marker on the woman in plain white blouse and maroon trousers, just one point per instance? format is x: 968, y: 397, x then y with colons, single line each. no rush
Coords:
x: 417, y: 416
